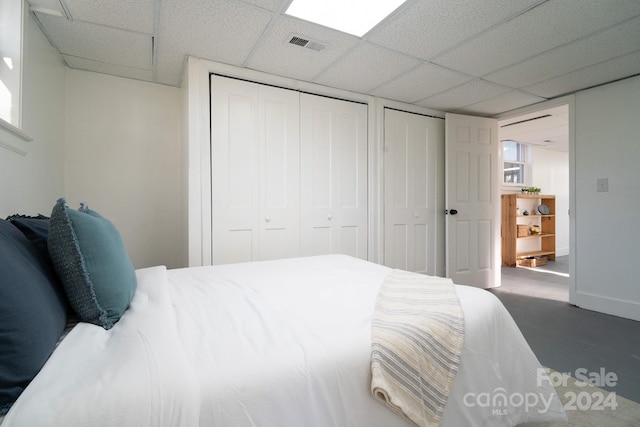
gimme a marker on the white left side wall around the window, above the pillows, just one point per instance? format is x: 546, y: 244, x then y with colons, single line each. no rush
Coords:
x: 30, y: 184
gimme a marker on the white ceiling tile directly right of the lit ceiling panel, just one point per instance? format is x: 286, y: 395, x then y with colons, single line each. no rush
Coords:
x: 427, y: 28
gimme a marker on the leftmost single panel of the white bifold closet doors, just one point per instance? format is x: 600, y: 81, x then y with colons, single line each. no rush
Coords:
x: 235, y: 171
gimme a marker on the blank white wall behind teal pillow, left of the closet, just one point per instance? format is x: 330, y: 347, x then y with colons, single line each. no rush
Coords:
x: 123, y: 158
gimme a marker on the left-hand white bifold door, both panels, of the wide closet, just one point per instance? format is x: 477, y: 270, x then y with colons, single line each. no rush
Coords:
x: 255, y: 171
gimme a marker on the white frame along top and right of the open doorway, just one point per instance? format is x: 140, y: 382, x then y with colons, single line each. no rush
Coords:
x: 568, y: 100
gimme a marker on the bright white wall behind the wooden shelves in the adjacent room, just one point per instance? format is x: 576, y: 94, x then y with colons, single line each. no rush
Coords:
x: 550, y: 172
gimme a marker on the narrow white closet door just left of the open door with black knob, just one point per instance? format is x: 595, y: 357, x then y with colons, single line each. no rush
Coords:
x: 411, y: 147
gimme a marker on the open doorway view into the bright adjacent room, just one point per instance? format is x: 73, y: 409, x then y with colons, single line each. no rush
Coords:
x: 536, y: 154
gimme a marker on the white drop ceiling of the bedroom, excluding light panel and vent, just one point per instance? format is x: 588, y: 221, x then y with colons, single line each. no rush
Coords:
x: 480, y: 57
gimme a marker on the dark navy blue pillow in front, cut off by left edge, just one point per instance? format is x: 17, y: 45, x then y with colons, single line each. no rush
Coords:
x: 33, y: 313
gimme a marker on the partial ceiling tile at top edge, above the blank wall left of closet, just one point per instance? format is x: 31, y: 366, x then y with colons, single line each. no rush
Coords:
x: 133, y: 15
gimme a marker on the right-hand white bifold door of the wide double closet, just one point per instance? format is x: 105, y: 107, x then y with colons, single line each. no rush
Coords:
x: 333, y: 155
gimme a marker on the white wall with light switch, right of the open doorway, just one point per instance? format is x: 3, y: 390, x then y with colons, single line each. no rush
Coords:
x: 607, y: 228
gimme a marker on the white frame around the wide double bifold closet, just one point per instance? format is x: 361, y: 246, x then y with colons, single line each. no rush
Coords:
x: 196, y: 150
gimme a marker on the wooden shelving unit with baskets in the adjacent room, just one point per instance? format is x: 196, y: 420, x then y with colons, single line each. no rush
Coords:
x: 514, y: 248
